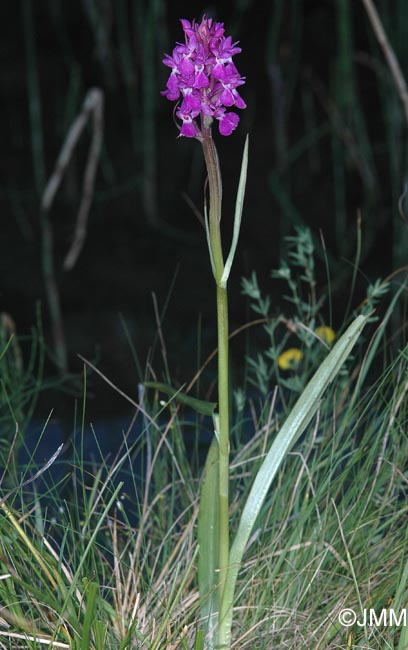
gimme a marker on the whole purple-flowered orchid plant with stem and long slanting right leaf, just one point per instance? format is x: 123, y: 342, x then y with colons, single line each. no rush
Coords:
x: 205, y: 80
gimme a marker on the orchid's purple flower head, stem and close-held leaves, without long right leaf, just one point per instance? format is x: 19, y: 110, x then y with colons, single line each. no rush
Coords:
x: 204, y: 82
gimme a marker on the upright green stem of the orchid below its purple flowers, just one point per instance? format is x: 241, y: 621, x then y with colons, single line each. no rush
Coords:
x: 215, y: 194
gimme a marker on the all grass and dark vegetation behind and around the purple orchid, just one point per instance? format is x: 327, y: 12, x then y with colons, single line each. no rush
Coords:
x: 98, y: 549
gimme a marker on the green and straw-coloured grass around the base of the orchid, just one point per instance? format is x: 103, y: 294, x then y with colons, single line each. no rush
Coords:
x: 75, y: 572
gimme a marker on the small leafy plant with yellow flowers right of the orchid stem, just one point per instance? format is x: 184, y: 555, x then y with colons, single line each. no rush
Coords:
x: 297, y: 342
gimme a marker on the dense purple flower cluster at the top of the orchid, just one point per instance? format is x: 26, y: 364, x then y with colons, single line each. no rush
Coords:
x: 205, y: 78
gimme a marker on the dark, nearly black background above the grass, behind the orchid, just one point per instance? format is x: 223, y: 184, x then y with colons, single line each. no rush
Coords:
x: 327, y: 141
